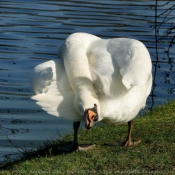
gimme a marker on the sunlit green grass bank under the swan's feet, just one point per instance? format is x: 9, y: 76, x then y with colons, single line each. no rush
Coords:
x: 154, y: 155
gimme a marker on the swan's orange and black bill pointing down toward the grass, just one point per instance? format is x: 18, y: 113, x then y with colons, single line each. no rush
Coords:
x: 90, y: 115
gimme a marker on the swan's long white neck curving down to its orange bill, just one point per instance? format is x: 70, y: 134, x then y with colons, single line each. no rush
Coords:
x: 77, y: 68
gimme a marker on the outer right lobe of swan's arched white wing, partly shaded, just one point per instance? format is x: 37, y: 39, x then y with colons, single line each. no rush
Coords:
x: 133, y: 60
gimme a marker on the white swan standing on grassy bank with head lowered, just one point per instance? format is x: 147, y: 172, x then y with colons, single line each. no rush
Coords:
x: 95, y: 79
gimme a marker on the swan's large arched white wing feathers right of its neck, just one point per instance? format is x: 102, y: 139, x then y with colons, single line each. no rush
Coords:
x: 118, y: 64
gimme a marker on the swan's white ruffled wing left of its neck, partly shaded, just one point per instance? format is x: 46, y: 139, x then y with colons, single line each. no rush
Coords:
x: 53, y: 92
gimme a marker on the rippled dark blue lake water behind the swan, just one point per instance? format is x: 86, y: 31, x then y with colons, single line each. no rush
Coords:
x: 31, y: 32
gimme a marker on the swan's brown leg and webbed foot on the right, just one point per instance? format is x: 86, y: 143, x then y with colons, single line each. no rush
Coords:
x: 128, y: 141
